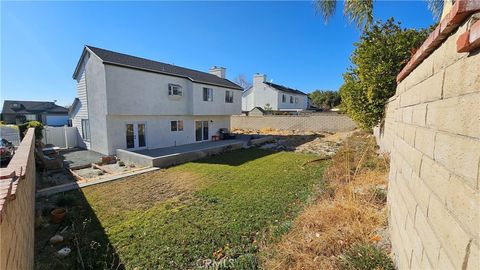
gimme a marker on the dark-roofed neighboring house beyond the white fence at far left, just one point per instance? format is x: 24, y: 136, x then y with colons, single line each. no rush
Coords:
x: 18, y: 112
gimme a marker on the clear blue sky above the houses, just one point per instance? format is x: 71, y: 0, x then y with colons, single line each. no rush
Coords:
x: 42, y: 41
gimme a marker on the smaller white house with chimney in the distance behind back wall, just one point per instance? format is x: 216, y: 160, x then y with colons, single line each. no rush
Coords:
x: 278, y: 97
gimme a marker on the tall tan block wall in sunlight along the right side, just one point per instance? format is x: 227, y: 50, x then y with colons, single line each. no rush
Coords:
x: 432, y: 131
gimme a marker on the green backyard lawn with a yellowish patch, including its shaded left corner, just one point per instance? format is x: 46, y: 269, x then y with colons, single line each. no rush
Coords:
x: 219, y: 209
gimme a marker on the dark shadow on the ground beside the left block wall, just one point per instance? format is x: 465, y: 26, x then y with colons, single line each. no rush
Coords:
x: 82, y: 233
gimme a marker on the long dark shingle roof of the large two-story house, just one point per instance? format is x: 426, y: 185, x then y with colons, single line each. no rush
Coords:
x: 125, y: 60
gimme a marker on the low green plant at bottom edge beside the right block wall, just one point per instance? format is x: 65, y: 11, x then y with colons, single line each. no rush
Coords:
x: 365, y: 257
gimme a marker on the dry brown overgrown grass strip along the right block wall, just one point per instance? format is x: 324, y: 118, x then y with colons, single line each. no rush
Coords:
x: 350, y: 210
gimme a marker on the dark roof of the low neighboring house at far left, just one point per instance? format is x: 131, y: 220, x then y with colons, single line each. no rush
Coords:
x: 20, y: 106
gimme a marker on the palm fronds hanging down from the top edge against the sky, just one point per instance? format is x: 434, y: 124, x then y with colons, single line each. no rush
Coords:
x: 360, y: 12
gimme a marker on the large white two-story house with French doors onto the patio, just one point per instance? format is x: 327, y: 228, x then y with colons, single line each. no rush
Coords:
x: 127, y: 102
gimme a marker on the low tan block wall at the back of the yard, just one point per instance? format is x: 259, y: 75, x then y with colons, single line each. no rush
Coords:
x: 331, y: 122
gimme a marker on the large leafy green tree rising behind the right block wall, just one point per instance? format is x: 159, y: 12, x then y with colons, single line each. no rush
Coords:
x: 383, y: 50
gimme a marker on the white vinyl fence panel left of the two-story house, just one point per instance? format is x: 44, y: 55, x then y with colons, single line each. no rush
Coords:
x: 63, y: 137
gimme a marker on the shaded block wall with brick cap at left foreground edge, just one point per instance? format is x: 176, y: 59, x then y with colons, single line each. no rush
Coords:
x: 17, y: 204
